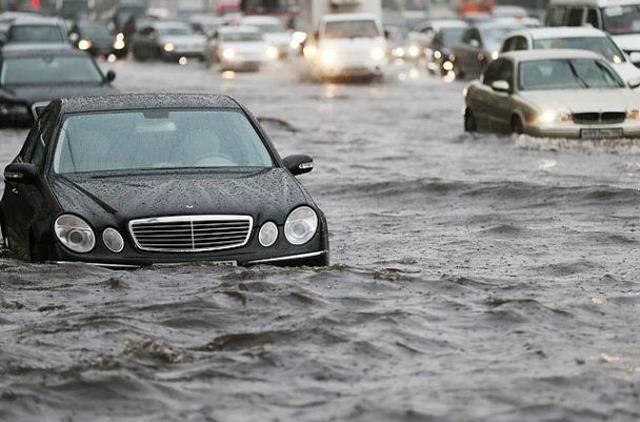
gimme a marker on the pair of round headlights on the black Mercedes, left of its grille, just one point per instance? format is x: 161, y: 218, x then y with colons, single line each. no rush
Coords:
x: 78, y: 236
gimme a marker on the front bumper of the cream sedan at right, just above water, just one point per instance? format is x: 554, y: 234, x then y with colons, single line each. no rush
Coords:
x: 572, y: 130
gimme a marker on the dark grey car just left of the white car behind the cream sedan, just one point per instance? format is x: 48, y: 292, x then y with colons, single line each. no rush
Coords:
x: 480, y: 44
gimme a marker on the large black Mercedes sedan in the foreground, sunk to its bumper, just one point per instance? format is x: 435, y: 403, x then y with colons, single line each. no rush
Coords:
x: 145, y: 179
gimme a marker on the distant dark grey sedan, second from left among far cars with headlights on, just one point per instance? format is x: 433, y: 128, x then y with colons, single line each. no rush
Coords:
x: 168, y: 40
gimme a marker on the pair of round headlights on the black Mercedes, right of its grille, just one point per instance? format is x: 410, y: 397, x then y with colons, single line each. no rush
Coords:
x: 299, y: 228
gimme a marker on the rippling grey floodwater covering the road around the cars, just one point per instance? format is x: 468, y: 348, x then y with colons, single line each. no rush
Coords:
x: 474, y: 278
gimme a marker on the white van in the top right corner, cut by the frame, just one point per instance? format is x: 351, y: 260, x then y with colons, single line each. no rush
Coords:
x: 620, y: 18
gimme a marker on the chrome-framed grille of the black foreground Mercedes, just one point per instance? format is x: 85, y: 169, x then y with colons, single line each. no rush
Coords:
x: 190, y: 234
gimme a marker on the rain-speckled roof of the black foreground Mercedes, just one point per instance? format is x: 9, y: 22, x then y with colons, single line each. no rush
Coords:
x: 123, y: 102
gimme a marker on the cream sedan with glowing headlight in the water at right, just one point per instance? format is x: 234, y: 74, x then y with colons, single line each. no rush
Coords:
x: 553, y: 93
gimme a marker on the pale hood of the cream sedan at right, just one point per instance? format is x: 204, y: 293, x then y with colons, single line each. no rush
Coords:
x: 583, y: 101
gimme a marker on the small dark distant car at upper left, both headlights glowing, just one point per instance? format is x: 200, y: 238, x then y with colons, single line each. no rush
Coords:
x: 96, y: 39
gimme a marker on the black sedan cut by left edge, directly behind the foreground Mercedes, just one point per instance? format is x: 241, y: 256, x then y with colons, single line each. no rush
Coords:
x: 32, y: 75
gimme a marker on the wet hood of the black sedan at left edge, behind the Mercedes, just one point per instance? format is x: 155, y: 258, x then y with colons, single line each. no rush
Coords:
x: 30, y: 94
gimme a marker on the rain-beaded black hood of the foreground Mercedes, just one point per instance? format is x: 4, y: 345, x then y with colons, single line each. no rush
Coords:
x: 266, y: 195
